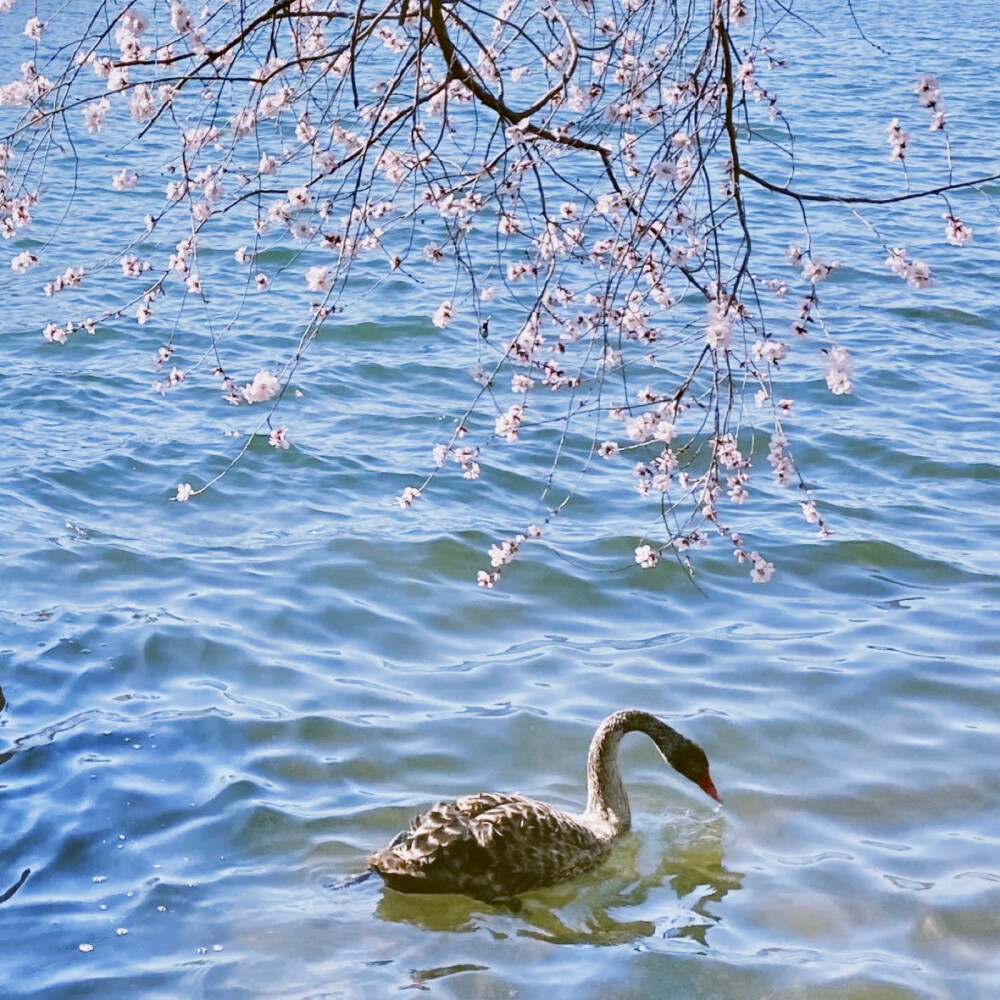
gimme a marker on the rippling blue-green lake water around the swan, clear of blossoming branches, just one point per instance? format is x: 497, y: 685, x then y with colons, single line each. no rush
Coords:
x: 212, y: 711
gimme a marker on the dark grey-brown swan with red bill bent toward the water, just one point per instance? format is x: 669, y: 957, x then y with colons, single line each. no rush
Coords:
x: 494, y: 845
